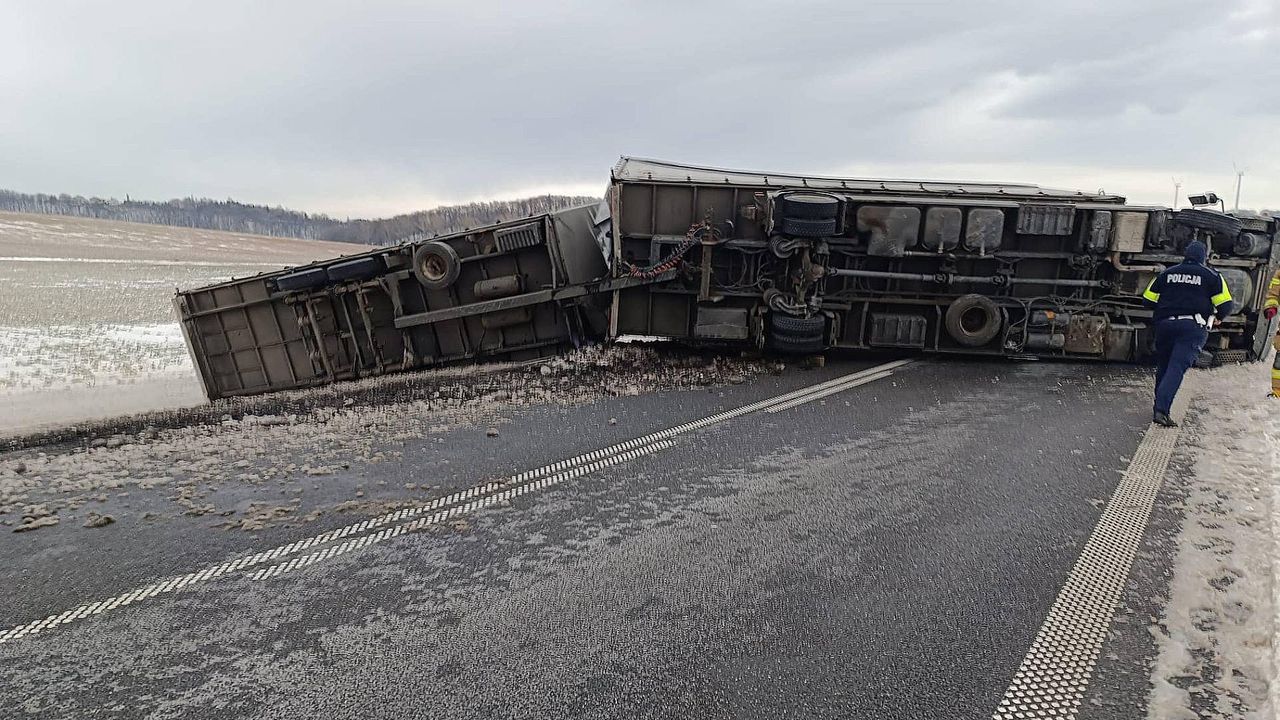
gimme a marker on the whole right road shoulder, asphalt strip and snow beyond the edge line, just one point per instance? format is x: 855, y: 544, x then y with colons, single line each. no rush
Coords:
x: 1195, y: 634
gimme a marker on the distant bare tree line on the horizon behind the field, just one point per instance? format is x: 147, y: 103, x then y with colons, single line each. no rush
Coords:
x: 280, y: 222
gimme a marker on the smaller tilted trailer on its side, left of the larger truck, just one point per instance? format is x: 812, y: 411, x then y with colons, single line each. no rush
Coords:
x: 510, y: 291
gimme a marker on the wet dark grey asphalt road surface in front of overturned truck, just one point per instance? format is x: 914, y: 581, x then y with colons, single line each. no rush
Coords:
x: 884, y: 552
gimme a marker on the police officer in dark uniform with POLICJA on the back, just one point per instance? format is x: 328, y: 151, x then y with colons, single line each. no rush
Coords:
x: 1187, y: 299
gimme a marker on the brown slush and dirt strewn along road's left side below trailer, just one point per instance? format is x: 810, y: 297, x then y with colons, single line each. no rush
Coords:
x: 282, y: 448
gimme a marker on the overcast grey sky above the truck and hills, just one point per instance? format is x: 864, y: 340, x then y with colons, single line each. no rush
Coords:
x: 382, y: 107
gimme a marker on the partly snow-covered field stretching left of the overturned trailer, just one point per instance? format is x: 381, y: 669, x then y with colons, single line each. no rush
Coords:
x: 86, y: 315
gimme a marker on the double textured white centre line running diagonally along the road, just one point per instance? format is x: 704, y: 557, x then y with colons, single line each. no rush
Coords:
x: 450, y: 507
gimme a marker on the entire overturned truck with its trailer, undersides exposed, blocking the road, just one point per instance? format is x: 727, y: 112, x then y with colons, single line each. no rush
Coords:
x: 783, y: 263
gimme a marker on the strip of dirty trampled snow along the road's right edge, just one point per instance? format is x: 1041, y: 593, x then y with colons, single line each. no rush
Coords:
x: 1217, y: 642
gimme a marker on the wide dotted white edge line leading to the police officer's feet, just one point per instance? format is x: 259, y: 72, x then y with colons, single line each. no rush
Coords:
x: 1058, y: 668
